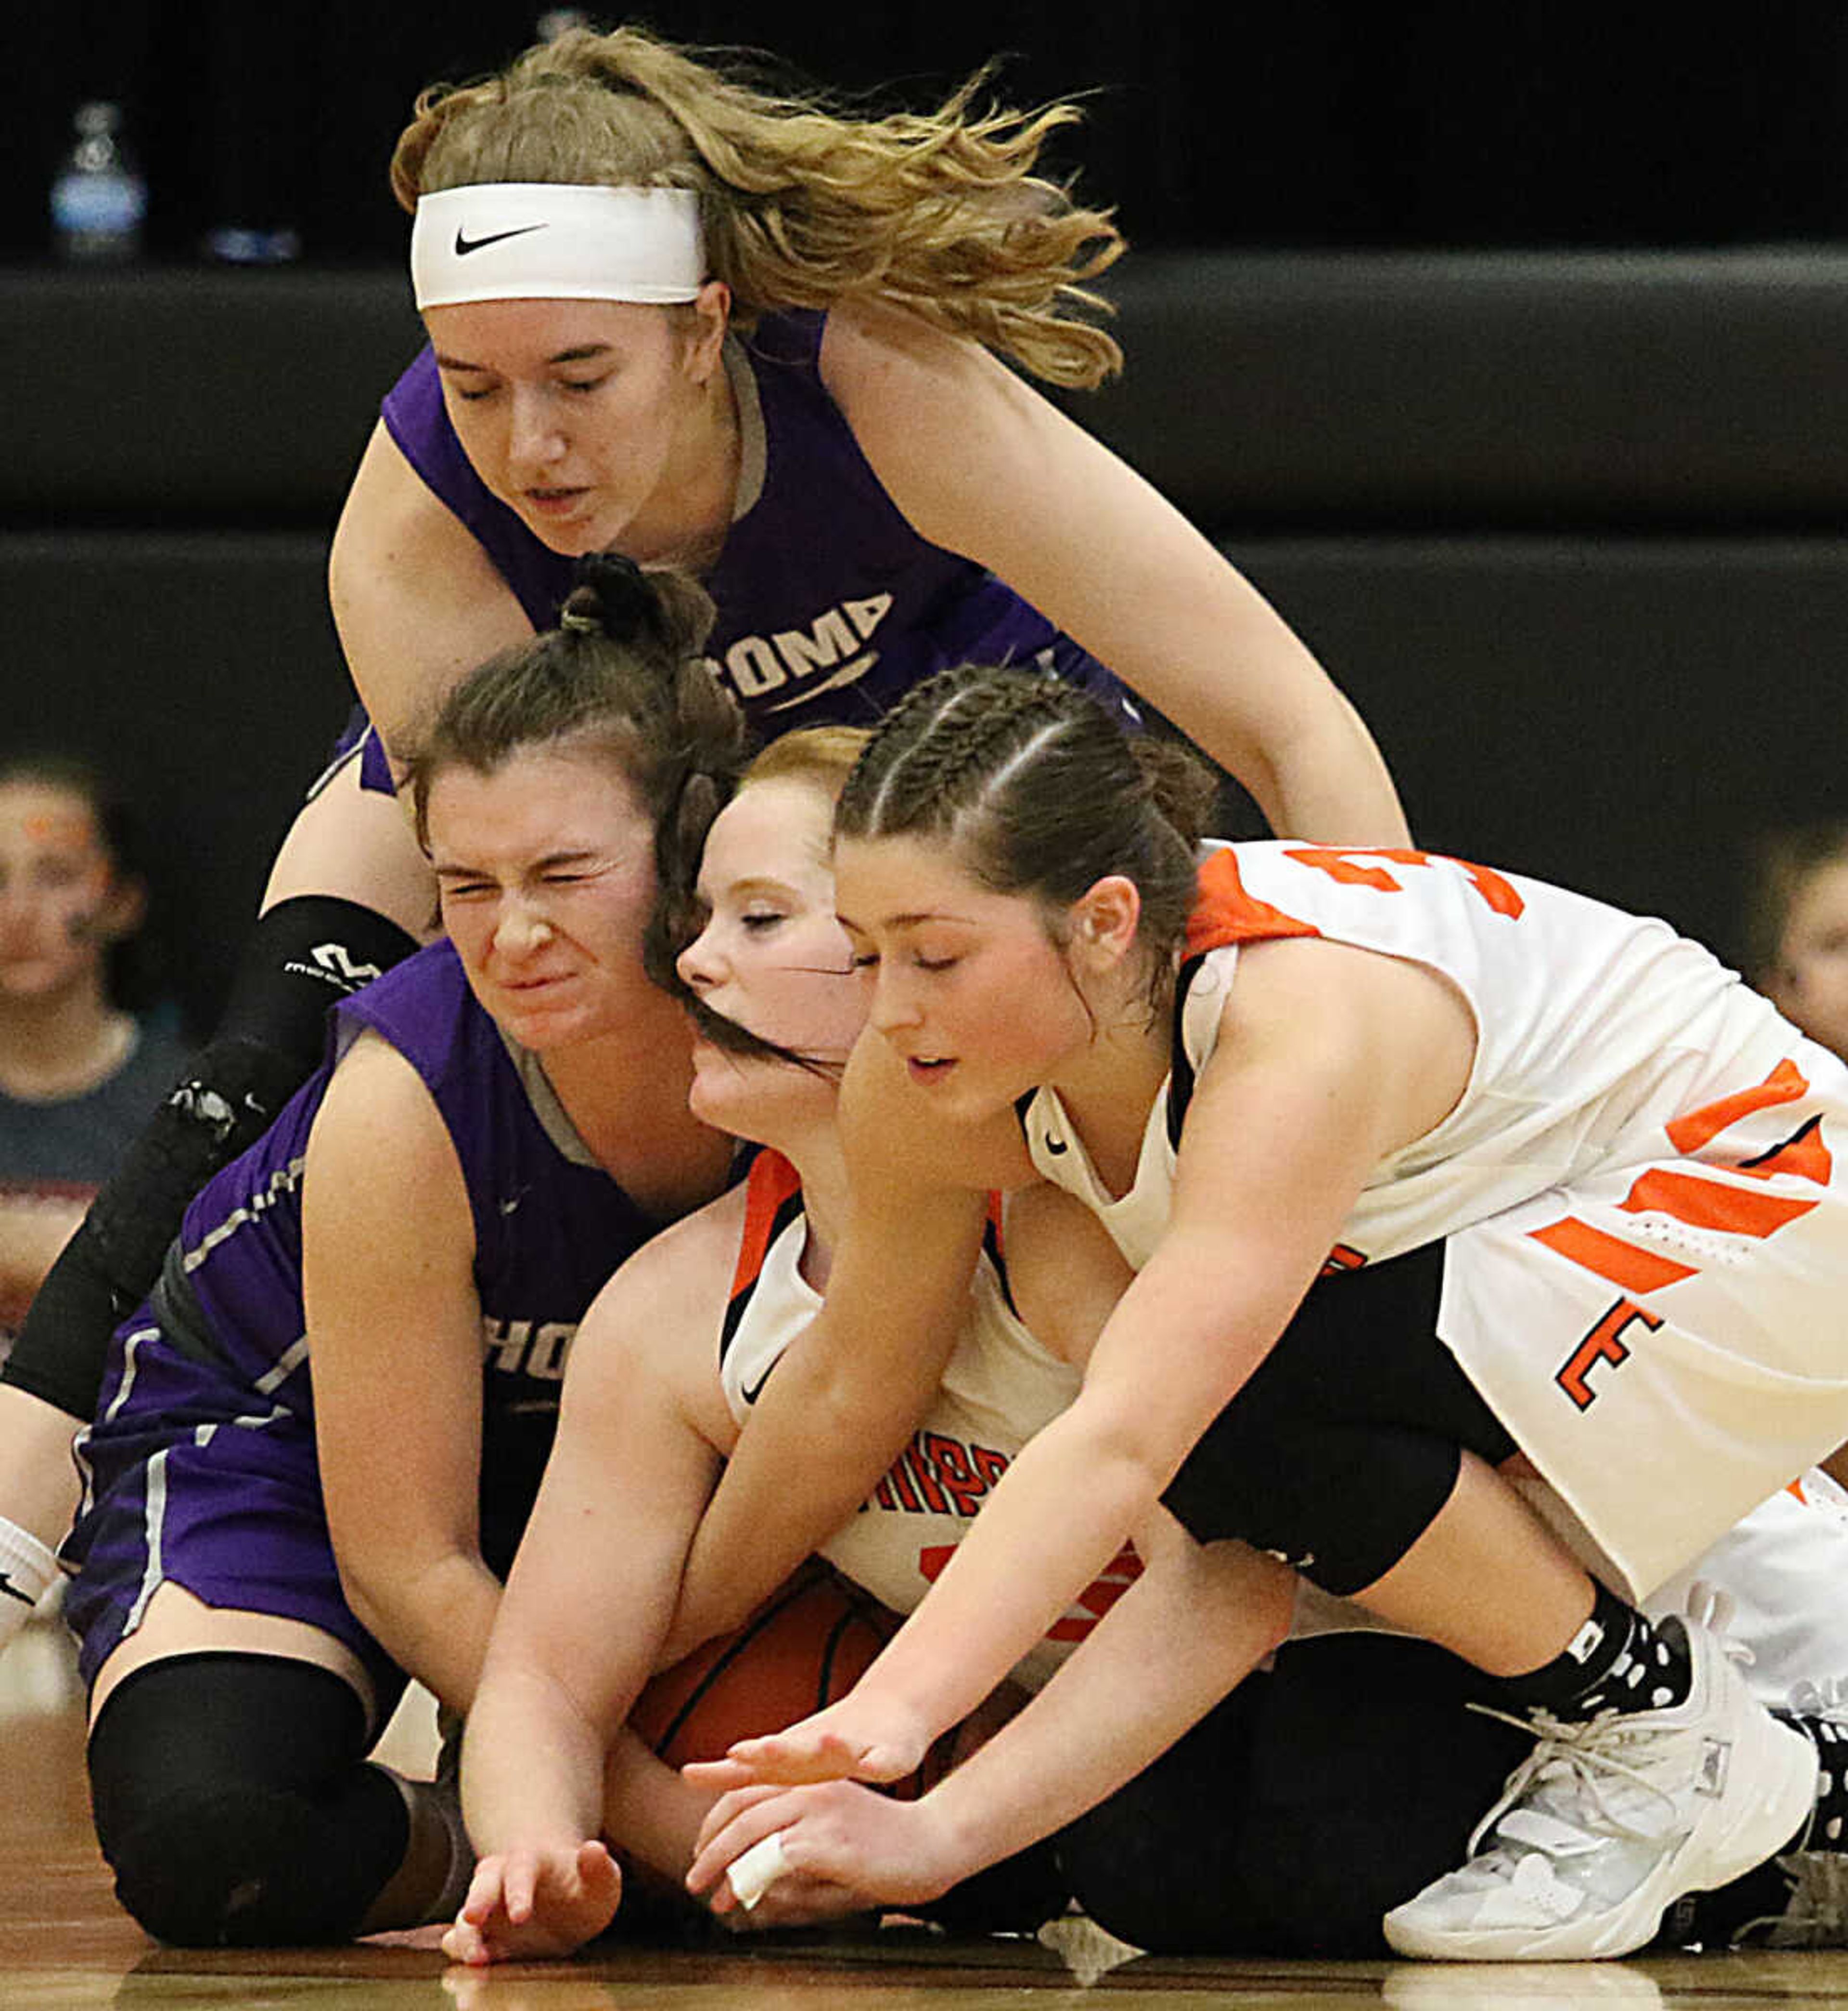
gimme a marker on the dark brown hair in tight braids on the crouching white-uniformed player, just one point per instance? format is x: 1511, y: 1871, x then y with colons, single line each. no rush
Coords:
x: 1039, y: 791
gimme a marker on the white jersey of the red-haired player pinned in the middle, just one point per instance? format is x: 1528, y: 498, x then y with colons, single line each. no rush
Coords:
x: 1000, y: 1387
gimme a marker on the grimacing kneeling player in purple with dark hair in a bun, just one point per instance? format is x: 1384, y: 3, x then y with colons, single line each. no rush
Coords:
x: 375, y: 1302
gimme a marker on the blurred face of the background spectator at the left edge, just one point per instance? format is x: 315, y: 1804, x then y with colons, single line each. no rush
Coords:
x: 59, y: 902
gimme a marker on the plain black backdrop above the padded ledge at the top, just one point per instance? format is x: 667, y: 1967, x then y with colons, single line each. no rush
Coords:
x: 1302, y: 124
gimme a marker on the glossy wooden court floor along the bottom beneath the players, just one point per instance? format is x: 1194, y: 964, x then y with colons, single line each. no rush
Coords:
x: 67, y: 1948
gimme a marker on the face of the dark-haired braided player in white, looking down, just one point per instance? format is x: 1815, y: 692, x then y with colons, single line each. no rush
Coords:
x: 968, y: 986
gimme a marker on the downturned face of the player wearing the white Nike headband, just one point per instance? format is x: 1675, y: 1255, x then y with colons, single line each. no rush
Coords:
x: 572, y: 409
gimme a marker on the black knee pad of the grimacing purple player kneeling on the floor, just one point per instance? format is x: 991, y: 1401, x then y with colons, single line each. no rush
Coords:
x: 234, y: 1803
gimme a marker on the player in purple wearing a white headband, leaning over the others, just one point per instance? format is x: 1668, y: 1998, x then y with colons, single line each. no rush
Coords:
x: 858, y: 474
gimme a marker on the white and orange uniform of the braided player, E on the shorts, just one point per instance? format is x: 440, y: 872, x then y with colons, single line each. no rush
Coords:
x: 1648, y: 1238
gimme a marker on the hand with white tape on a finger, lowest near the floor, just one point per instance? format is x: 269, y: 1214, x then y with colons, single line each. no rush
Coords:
x: 836, y: 1837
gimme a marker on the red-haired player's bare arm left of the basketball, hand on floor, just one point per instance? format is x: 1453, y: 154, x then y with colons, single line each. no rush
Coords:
x: 586, y: 1606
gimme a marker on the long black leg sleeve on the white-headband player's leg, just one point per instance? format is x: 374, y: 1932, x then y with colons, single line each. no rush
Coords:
x: 305, y: 956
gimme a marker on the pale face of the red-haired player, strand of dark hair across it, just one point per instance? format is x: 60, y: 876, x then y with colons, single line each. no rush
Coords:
x: 771, y: 956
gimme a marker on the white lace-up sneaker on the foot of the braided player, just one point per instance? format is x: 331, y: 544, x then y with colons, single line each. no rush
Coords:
x: 1606, y: 1825
